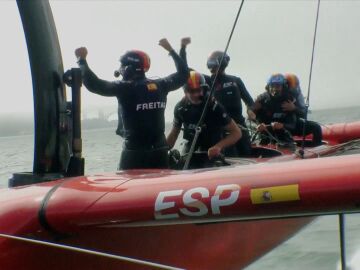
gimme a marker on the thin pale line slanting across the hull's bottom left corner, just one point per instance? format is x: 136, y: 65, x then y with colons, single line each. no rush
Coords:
x: 91, y: 252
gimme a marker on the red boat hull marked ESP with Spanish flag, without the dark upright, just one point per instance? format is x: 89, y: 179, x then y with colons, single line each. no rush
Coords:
x: 219, y: 218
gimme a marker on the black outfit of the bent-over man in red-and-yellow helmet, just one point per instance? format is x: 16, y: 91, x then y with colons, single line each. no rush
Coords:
x: 188, y: 115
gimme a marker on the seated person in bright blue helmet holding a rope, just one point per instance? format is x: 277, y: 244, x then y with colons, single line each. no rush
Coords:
x: 270, y: 113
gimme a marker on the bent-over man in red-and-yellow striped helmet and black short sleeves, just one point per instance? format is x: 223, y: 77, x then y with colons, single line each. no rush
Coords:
x: 187, y: 113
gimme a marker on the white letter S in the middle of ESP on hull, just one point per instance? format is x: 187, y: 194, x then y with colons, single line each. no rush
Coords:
x: 189, y: 201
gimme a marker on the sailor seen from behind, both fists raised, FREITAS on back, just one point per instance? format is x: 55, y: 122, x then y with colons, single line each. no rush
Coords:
x: 142, y: 102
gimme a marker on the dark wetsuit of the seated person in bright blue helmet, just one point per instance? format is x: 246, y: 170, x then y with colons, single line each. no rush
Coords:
x: 271, y: 111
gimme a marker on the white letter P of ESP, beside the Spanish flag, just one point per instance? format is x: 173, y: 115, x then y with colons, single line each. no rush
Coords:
x: 216, y: 202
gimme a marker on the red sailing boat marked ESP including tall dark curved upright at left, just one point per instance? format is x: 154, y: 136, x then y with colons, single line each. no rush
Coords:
x: 216, y: 218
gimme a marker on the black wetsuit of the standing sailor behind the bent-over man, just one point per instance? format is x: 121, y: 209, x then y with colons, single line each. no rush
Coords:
x: 229, y: 91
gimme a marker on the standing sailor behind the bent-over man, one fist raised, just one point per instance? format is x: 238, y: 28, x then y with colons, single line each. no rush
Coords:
x: 229, y: 91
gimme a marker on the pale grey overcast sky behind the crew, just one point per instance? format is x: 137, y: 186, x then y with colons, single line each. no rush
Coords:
x: 271, y: 36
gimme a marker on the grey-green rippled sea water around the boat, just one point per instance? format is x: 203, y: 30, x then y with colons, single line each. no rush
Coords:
x: 315, y: 247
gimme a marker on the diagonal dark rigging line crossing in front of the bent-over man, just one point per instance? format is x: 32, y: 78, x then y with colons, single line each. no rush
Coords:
x: 202, y: 117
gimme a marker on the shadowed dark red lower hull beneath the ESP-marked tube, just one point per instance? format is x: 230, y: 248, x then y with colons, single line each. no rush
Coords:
x: 230, y: 245
